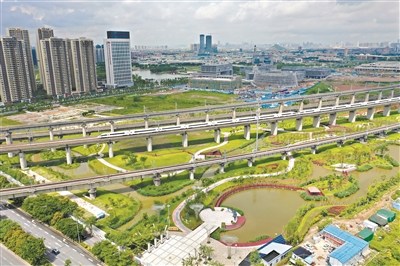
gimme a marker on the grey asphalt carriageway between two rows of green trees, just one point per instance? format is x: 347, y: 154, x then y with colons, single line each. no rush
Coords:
x: 68, y: 250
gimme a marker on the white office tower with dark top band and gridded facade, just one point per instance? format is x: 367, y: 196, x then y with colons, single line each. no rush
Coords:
x: 118, y: 62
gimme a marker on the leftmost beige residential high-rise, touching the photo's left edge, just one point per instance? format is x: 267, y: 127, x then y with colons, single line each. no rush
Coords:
x: 15, y: 79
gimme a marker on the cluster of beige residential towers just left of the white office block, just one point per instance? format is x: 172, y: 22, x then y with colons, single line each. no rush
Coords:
x: 66, y: 65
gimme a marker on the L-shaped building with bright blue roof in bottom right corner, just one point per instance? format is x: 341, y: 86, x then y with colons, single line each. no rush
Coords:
x: 350, y: 249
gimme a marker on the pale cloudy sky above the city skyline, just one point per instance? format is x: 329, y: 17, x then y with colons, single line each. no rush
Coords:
x: 180, y: 22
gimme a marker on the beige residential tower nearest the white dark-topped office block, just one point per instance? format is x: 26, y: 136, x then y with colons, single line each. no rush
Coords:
x: 82, y: 66
